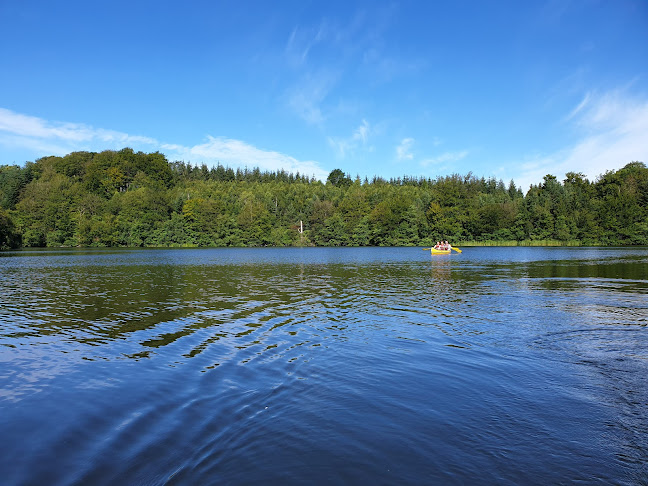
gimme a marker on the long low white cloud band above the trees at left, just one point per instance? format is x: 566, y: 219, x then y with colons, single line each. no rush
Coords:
x: 42, y: 137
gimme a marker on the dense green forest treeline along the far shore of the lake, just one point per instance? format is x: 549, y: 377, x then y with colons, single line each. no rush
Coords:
x: 127, y: 198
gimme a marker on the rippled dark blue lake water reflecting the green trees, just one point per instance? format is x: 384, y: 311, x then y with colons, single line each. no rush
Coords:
x: 324, y: 366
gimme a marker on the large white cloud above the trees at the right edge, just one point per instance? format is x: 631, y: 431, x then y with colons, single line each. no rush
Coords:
x: 612, y: 131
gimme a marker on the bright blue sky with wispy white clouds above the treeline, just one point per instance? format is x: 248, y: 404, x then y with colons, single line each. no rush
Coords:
x: 509, y: 89
